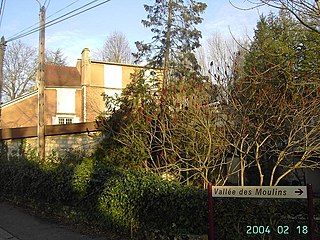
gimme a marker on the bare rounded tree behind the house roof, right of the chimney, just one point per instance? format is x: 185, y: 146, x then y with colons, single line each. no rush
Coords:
x: 115, y: 49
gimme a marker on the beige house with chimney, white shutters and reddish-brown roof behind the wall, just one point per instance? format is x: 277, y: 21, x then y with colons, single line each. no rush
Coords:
x: 72, y: 94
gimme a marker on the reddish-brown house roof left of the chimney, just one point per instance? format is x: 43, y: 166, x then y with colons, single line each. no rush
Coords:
x: 58, y: 76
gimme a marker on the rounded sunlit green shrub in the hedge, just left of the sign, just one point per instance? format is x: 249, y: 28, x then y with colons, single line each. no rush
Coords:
x: 143, y: 202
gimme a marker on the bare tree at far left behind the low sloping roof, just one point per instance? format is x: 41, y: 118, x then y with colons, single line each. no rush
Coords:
x: 19, y: 70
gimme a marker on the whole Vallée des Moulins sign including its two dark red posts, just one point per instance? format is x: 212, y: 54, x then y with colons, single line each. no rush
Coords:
x: 296, y: 192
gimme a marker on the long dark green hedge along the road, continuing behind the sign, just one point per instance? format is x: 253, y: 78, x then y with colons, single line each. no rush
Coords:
x: 142, y: 204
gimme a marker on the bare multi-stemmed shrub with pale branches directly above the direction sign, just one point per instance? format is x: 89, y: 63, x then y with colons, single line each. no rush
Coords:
x: 273, y: 133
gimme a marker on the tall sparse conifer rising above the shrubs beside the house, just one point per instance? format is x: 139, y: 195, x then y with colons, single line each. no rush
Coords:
x: 173, y: 23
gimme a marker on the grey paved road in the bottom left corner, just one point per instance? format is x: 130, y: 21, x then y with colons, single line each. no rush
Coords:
x: 17, y: 224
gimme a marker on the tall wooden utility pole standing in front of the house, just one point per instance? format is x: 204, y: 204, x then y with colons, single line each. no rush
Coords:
x: 40, y: 81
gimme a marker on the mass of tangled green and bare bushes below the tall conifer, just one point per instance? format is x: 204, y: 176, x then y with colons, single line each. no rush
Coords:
x: 179, y: 139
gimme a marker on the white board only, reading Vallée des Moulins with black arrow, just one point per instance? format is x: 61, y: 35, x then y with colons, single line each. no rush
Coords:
x: 260, y: 192
